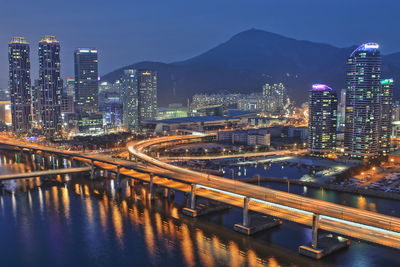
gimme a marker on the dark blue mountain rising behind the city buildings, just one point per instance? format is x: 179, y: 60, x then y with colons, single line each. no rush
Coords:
x: 252, y: 58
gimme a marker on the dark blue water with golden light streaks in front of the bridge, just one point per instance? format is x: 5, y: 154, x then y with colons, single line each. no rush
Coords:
x: 75, y: 221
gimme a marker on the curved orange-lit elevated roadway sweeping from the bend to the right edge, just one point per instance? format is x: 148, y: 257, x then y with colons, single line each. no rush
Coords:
x: 352, y: 222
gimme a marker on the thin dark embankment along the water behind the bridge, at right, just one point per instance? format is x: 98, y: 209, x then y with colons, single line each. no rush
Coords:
x: 333, y: 187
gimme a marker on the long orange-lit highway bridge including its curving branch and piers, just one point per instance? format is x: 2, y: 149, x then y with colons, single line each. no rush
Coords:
x: 334, y: 218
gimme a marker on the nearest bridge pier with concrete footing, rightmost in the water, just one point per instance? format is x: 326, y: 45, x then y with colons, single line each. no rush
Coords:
x: 320, y: 247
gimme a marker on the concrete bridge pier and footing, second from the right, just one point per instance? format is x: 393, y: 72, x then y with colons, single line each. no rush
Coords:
x: 259, y: 224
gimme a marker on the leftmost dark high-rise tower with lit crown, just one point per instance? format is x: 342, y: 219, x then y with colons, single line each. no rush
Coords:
x: 20, y: 84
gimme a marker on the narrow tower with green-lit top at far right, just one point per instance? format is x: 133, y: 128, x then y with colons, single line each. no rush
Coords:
x: 385, y: 122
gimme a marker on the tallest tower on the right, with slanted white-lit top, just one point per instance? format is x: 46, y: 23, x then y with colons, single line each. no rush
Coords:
x: 362, y: 117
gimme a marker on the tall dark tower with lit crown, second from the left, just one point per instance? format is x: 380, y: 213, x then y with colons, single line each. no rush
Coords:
x: 50, y: 85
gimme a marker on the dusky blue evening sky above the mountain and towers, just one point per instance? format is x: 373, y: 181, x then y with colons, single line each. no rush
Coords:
x: 128, y: 31
